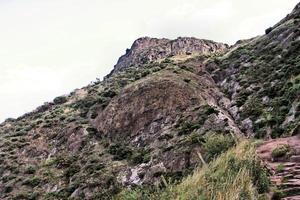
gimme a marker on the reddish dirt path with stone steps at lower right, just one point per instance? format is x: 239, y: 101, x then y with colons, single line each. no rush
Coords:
x: 284, y: 166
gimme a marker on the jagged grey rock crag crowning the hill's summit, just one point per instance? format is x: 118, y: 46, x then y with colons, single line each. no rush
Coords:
x: 145, y: 50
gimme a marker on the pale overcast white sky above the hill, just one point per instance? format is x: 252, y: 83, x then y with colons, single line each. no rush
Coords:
x: 51, y: 47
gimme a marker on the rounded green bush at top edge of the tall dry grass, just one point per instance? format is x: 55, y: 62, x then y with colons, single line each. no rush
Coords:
x: 216, y: 144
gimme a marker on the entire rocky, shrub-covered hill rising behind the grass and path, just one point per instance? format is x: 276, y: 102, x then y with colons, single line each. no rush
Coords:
x: 153, y: 118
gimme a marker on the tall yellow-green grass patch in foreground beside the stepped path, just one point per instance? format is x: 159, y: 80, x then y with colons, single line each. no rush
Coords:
x: 236, y: 174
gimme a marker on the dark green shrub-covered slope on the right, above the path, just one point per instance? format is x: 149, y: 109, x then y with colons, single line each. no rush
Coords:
x: 261, y: 78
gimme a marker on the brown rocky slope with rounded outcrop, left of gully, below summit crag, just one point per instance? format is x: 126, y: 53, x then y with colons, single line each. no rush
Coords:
x: 129, y: 129
